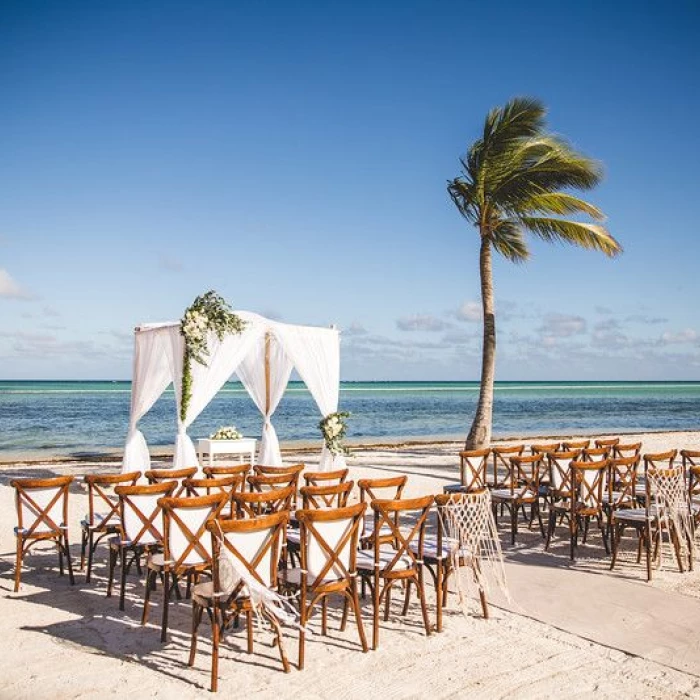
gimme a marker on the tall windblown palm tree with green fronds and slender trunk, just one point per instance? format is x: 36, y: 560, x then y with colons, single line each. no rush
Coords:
x: 516, y: 178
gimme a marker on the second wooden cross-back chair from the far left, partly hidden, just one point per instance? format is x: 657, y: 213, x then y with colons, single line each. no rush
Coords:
x: 102, y: 518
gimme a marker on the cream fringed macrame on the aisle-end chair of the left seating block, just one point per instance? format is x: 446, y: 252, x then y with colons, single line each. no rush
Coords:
x: 475, y: 549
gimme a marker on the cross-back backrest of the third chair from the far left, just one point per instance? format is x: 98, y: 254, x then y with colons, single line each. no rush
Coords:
x: 141, y: 515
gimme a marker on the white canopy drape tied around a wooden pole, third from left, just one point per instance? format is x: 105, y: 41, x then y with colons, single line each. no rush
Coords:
x: 267, y: 361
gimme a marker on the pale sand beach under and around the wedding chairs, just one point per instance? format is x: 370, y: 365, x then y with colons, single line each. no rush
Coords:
x: 571, y: 629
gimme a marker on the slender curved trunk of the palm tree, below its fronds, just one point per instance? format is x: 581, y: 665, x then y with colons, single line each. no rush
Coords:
x: 480, y: 432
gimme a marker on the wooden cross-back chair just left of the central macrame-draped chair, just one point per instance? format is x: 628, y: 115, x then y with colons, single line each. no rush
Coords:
x: 402, y: 562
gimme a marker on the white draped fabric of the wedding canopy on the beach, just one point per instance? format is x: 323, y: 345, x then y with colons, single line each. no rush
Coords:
x: 262, y: 356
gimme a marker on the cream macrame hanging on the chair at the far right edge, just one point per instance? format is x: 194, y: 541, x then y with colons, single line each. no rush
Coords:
x: 673, y: 512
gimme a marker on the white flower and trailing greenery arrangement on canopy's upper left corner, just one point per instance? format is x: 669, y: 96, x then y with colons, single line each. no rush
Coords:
x: 209, y: 312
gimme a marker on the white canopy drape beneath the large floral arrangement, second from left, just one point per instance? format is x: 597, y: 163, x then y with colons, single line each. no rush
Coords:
x: 224, y: 357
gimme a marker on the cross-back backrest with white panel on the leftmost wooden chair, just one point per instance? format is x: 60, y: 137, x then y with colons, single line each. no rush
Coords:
x: 42, y: 505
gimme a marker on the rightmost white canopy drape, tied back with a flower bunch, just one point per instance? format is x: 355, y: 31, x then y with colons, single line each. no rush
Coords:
x: 315, y: 353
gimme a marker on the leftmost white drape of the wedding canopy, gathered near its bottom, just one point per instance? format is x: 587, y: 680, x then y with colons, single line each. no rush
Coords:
x: 151, y: 377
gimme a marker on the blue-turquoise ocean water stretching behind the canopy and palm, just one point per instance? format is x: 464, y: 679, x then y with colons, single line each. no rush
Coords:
x: 79, y: 418
